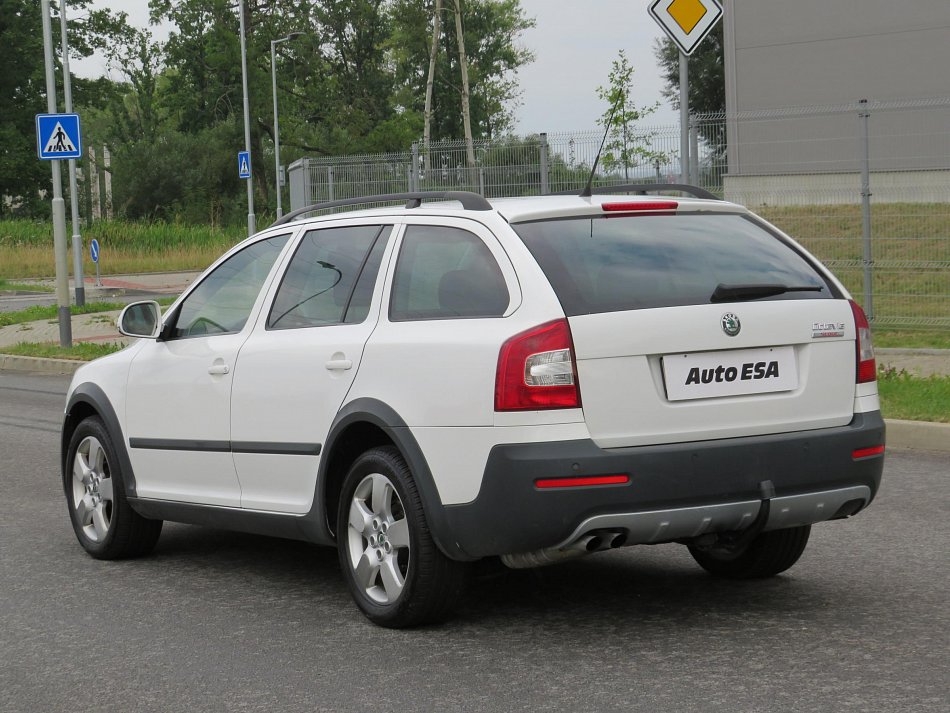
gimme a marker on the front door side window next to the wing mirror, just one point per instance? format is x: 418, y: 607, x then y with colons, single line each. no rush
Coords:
x: 223, y: 300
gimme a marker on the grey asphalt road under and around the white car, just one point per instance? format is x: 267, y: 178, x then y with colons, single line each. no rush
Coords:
x: 216, y: 621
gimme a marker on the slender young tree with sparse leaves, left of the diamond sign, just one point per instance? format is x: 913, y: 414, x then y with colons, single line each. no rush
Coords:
x: 626, y: 146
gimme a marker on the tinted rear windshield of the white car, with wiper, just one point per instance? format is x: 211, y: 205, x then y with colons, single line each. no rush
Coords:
x: 640, y: 262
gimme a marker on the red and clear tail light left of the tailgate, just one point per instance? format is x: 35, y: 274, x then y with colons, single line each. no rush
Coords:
x: 536, y: 370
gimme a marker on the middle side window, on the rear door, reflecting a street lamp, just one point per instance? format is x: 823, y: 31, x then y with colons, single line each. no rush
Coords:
x: 330, y: 278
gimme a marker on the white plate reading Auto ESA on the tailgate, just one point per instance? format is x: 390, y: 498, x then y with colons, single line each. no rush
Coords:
x: 706, y: 375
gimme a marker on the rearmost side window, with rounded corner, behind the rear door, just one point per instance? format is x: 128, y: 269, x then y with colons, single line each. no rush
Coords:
x: 446, y: 273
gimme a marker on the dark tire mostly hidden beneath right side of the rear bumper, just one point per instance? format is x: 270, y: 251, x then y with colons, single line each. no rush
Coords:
x: 769, y: 554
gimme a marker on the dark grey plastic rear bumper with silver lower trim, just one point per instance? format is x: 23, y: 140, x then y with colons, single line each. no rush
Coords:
x: 675, y: 491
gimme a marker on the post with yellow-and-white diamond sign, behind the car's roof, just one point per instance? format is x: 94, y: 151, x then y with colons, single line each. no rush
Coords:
x: 686, y: 22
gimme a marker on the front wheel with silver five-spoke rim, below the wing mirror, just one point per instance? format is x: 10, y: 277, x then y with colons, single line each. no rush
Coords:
x: 105, y: 524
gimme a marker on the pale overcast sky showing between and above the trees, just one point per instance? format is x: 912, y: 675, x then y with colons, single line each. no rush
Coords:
x: 574, y: 43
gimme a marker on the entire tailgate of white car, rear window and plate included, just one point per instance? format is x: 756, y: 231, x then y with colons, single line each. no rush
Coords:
x: 697, y: 324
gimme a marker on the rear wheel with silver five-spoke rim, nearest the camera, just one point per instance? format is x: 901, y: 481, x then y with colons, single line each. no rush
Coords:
x: 396, y: 574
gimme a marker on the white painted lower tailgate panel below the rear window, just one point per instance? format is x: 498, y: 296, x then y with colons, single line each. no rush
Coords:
x: 672, y: 374
